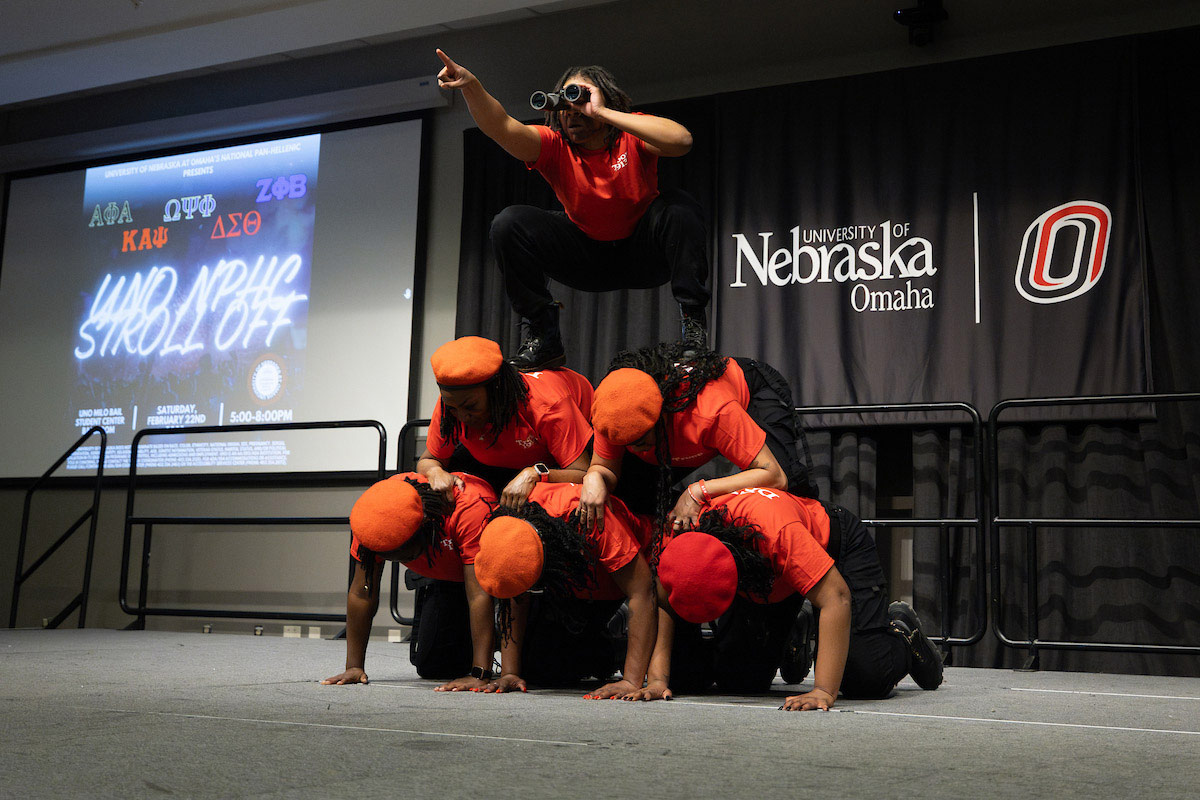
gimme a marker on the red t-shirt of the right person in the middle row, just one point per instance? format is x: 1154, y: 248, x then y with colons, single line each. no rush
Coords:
x: 716, y: 424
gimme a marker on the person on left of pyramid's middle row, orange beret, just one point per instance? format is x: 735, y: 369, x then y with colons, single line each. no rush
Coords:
x: 514, y: 430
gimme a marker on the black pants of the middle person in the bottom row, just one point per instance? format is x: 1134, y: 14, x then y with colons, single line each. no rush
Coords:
x: 568, y: 641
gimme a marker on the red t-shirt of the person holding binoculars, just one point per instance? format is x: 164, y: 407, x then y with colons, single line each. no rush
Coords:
x: 604, y: 193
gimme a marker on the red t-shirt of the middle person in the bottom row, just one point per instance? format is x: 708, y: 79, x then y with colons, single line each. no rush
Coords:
x: 623, y: 538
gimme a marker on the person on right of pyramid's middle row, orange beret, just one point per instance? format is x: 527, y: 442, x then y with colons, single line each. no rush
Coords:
x: 664, y: 411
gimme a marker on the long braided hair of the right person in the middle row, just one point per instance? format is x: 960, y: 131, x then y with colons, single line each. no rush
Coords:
x: 681, y: 371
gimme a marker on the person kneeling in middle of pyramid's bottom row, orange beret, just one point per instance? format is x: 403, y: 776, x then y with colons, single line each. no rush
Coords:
x: 560, y: 588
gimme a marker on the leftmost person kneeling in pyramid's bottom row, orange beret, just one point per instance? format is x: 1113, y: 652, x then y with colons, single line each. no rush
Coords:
x: 405, y: 520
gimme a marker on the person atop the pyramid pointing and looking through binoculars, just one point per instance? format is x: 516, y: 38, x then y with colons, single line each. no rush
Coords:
x: 619, y: 231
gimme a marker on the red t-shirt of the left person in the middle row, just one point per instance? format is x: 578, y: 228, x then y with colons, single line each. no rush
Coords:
x: 551, y: 428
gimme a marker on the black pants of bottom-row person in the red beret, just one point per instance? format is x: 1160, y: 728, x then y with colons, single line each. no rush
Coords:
x: 748, y: 646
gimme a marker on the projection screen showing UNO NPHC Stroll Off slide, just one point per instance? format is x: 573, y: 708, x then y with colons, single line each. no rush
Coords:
x: 262, y: 282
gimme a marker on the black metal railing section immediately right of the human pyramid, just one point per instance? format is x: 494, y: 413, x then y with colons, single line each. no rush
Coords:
x: 979, y: 522
